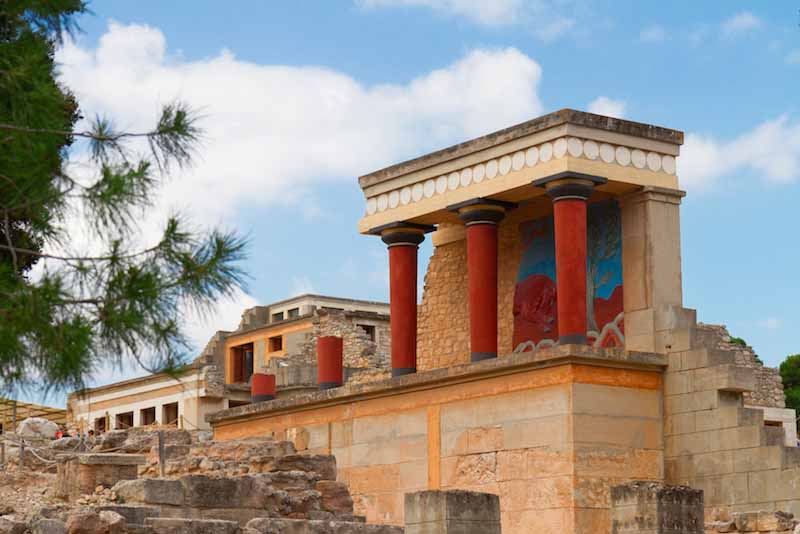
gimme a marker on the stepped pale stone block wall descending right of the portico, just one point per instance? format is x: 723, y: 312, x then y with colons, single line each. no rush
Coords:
x: 713, y: 441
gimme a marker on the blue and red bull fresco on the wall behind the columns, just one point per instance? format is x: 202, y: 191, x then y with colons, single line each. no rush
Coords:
x: 535, y: 296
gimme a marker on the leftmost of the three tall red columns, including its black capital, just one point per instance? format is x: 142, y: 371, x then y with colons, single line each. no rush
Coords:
x: 403, y: 240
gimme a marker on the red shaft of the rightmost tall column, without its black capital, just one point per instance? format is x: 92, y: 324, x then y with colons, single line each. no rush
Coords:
x: 569, y: 217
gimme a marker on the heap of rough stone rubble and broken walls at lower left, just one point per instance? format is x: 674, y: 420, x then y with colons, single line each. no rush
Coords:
x: 250, y: 486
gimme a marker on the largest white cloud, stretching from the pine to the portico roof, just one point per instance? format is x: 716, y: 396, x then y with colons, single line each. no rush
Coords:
x: 274, y: 131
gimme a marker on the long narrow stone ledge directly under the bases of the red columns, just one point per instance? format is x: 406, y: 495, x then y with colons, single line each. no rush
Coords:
x: 428, y: 380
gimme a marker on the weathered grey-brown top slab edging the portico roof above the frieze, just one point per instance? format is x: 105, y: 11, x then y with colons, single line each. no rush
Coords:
x: 564, y: 116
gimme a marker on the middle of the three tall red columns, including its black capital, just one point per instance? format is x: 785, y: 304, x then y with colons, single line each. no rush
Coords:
x: 481, y: 217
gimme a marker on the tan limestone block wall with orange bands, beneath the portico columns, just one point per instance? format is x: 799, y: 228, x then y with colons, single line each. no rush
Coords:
x: 549, y: 440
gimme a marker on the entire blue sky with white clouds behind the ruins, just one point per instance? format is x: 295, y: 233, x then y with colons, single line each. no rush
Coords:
x: 302, y: 97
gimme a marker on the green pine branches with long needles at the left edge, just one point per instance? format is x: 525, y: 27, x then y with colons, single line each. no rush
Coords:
x: 63, y: 315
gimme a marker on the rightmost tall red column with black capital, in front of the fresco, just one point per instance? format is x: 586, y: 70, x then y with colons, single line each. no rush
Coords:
x: 570, y: 192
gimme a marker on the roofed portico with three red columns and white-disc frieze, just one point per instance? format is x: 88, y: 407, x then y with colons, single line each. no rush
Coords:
x: 553, y: 166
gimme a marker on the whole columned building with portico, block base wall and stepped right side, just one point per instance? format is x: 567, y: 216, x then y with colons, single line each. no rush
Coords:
x: 551, y: 358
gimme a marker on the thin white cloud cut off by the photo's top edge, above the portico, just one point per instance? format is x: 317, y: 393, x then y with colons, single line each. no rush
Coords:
x: 539, y: 15
